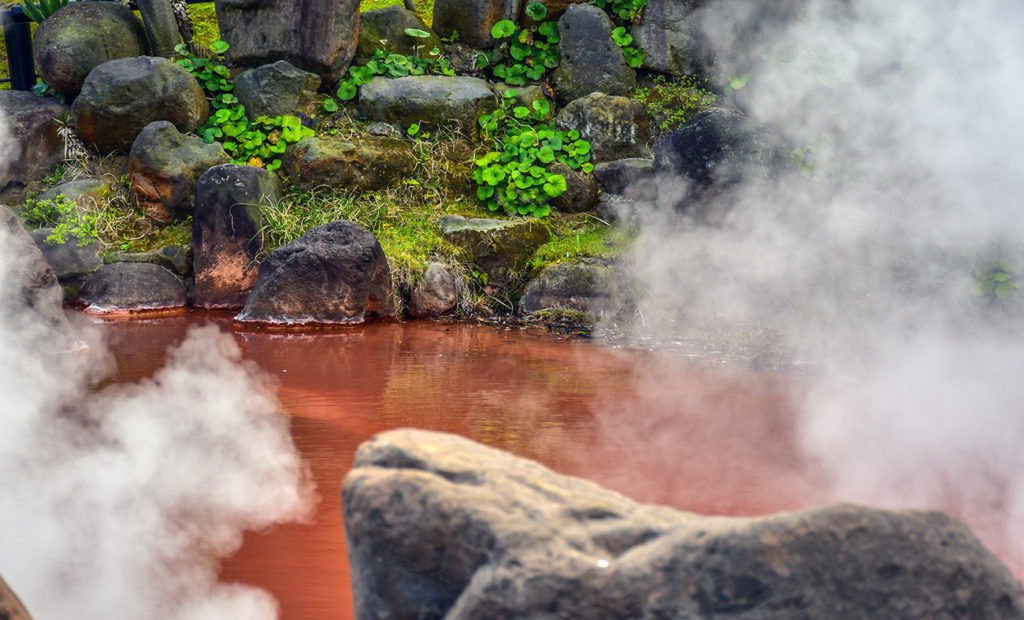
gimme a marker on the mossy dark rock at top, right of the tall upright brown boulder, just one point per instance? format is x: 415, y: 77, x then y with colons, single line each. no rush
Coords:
x: 390, y: 25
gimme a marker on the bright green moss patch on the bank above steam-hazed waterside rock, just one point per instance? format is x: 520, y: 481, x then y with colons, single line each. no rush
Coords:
x: 580, y: 237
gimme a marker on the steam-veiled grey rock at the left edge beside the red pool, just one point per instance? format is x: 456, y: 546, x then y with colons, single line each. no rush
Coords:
x: 30, y: 295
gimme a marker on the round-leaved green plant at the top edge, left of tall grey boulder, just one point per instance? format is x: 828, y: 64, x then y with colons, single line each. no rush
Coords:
x: 531, y: 52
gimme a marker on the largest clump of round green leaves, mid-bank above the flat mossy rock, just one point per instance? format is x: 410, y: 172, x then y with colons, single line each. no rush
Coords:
x: 514, y: 178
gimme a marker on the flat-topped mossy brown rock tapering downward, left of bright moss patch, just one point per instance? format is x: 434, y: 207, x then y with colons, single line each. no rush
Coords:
x: 497, y: 249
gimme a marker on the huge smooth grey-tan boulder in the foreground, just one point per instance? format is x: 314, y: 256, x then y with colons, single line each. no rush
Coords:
x: 439, y: 526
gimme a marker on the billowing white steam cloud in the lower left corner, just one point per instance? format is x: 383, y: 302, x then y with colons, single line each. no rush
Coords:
x: 119, y: 504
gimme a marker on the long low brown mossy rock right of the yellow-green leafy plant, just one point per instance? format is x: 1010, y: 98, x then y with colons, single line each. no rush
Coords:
x: 366, y: 164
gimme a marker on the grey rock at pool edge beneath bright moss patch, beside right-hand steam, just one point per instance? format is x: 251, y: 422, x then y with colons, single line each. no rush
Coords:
x: 575, y: 286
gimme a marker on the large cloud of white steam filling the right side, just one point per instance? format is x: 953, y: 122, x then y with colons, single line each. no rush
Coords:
x: 913, y: 110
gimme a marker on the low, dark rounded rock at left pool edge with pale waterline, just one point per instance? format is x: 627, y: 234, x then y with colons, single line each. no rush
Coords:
x: 132, y: 287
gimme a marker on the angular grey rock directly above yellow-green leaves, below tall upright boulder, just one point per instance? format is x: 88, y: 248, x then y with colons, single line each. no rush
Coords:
x: 277, y: 90
